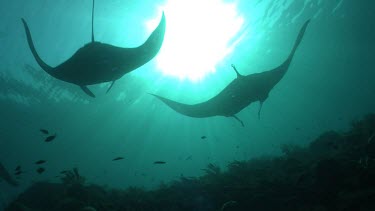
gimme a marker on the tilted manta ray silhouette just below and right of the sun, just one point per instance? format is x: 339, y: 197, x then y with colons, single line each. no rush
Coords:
x: 240, y: 93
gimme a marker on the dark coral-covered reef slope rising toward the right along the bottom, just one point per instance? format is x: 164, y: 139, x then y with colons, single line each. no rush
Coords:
x: 335, y: 172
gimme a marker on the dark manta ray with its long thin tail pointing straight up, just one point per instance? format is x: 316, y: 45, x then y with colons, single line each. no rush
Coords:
x: 98, y: 62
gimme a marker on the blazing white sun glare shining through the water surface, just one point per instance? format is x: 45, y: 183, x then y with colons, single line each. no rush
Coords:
x: 199, y: 34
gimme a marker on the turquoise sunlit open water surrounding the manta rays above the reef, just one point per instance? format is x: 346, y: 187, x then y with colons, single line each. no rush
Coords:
x: 329, y: 84
